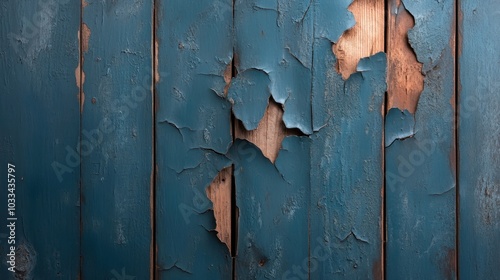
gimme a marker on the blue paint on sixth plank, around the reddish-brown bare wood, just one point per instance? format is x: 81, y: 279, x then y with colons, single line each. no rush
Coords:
x: 420, y: 171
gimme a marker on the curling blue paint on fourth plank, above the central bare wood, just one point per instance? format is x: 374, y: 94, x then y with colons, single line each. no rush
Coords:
x: 277, y: 39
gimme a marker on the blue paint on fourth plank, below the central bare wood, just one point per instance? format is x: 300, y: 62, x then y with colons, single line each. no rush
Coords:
x: 273, y: 210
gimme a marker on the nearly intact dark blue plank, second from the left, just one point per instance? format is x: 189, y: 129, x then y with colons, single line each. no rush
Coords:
x: 117, y: 139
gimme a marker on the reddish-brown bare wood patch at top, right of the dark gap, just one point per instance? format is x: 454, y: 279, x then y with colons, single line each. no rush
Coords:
x: 405, y: 79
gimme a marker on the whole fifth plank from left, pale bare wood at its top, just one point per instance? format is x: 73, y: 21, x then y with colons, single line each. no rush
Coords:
x: 346, y: 239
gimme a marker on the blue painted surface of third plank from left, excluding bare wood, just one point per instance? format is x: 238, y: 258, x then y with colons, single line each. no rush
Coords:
x: 193, y: 133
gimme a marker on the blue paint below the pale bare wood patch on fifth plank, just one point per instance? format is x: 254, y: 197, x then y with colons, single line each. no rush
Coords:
x: 346, y: 170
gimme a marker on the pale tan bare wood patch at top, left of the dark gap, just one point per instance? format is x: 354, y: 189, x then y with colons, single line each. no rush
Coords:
x: 364, y: 39
